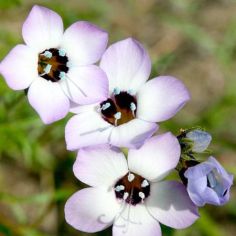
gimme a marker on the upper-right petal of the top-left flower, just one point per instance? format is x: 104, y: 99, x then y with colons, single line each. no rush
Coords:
x: 84, y: 43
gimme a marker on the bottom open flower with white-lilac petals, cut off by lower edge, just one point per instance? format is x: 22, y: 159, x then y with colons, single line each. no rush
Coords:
x: 128, y: 193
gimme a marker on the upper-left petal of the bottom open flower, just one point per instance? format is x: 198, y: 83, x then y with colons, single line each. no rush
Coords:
x: 100, y: 165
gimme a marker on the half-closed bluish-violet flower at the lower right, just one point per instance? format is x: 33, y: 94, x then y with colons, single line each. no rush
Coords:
x: 208, y: 182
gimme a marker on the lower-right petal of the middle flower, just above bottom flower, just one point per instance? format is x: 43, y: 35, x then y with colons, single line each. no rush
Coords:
x: 132, y: 134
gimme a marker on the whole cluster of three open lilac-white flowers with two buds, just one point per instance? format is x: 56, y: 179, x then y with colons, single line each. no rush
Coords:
x: 115, y: 107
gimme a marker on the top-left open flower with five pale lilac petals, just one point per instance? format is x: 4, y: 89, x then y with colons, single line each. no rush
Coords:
x: 56, y: 66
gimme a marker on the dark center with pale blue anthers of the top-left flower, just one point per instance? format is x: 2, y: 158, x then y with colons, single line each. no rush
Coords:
x: 53, y: 64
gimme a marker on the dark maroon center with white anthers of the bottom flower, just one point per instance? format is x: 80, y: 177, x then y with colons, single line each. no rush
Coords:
x: 132, y: 188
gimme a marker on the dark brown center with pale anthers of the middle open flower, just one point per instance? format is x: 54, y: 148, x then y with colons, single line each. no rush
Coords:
x: 120, y: 108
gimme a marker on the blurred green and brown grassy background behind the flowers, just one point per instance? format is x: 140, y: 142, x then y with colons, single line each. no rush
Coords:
x: 194, y: 40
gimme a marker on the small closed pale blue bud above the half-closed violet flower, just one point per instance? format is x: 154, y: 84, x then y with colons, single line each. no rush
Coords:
x: 200, y: 140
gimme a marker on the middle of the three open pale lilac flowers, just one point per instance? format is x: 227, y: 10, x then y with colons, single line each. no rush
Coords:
x: 127, y: 116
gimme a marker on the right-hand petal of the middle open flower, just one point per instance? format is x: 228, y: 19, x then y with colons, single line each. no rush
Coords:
x: 161, y: 98
